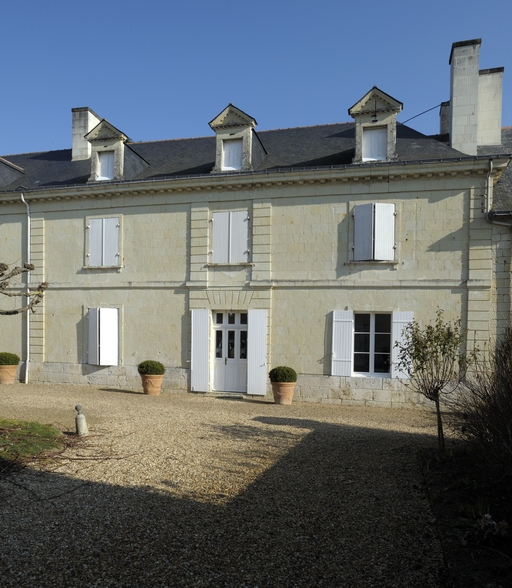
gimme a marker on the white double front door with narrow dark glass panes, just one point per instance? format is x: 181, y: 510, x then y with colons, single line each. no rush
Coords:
x: 230, y: 360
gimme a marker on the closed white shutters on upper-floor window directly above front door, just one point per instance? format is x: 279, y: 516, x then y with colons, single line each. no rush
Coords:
x: 230, y: 237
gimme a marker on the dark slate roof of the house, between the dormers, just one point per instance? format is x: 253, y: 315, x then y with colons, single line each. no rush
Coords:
x: 298, y: 148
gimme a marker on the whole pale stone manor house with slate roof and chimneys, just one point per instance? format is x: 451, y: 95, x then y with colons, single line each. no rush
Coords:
x: 223, y: 256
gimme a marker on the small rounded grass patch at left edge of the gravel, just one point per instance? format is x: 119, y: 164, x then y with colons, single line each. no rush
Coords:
x: 21, y: 440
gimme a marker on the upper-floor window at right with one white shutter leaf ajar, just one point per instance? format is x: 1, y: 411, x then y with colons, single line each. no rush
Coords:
x: 374, y: 232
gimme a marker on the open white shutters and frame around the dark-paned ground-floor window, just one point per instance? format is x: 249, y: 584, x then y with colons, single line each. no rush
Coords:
x: 343, y: 342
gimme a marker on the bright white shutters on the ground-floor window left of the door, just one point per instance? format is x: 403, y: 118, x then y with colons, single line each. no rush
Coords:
x: 103, y: 336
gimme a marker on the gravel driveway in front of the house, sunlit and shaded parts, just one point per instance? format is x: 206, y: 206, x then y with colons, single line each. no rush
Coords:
x: 193, y: 490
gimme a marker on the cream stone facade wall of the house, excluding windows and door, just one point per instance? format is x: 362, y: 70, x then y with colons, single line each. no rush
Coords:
x: 300, y: 270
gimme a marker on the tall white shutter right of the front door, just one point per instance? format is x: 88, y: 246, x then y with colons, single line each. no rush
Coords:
x: 257, y: 352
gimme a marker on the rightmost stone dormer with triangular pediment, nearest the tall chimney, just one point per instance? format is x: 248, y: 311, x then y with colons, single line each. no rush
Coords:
x: 375, y: 116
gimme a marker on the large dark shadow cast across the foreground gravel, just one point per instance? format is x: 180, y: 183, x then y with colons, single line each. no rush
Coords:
x: 342, y: 508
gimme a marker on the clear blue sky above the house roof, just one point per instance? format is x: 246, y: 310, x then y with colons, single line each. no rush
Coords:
x: 163, y: 69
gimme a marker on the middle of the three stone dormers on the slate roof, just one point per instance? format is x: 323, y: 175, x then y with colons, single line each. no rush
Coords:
x: 238, y: 147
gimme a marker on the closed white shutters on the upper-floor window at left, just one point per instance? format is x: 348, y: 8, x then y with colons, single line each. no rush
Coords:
x: 103, y: 242
